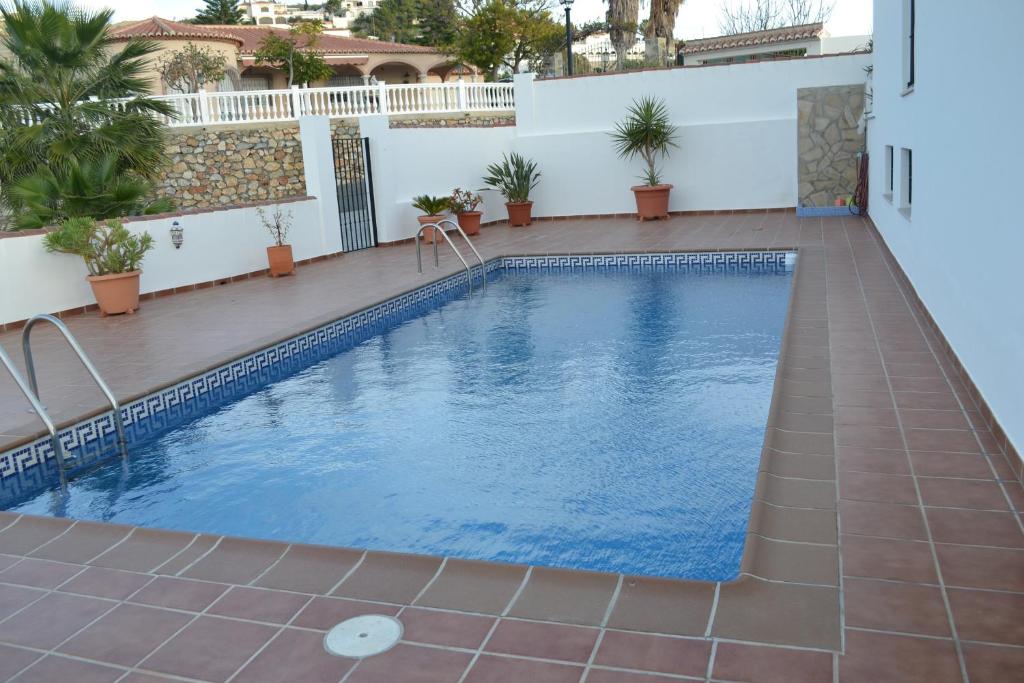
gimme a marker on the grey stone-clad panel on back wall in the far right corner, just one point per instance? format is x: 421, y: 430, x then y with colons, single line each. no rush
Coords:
x: 828, y: 143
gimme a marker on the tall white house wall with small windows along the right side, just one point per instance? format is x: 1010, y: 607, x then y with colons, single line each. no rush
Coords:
x: 962, y: 242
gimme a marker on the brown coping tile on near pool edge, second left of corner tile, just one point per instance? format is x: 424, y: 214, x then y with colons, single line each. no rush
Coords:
x: 562, y: 595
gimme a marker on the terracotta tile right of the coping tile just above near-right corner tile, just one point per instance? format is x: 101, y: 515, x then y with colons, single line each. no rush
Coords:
x: 888, y: 559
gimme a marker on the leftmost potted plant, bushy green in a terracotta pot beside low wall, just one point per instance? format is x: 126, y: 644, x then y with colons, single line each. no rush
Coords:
x: 112, y: 255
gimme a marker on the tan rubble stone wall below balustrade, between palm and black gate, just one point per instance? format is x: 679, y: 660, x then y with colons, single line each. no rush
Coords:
x: 230, y: 165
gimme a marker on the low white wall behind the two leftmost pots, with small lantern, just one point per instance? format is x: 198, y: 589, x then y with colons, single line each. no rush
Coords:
x: 218, y: 245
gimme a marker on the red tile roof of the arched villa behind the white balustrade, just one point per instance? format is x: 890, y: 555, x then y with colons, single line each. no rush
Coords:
x: 249, y: 37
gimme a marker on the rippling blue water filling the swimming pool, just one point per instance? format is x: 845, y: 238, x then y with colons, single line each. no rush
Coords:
x: 603, y: 420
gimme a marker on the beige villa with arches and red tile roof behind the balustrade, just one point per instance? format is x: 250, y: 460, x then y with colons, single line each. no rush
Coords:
x: 355, y: 61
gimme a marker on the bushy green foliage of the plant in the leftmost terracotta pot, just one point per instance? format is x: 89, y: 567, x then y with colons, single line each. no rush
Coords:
x: 107, y: 248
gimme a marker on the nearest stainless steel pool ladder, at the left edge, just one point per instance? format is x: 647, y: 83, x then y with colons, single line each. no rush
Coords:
x: 31, y: 389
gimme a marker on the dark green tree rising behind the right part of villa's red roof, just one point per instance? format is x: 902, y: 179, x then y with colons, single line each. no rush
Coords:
x: 417, y: 22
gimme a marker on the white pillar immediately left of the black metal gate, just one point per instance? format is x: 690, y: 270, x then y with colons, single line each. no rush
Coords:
x: 318, y: 165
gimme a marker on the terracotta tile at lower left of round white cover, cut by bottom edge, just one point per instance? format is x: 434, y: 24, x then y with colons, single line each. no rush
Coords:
x: 295, y: 656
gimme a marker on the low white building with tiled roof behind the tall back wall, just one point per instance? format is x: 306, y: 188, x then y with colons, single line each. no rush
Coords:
x: 793, y: 41
